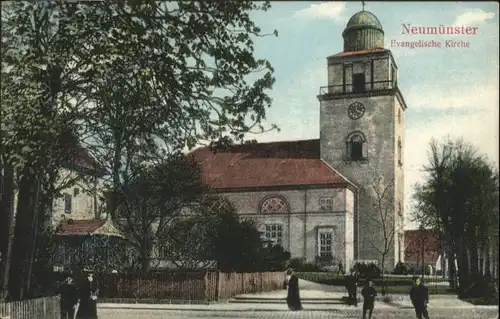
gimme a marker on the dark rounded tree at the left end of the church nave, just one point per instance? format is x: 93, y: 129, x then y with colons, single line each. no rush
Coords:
x: 157, y: 195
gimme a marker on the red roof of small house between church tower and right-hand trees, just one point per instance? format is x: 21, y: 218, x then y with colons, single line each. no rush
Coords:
x: 418, y: 240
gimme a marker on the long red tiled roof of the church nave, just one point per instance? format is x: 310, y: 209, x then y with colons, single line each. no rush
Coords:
x: 291, y: 163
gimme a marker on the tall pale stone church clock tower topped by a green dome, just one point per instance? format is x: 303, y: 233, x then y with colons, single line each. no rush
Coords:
x: 362, y: 136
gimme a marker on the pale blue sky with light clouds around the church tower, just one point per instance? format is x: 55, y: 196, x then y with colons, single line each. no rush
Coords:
x: 449, y: 91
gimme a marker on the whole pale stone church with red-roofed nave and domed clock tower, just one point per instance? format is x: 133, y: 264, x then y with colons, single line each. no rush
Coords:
x: 339, y: 197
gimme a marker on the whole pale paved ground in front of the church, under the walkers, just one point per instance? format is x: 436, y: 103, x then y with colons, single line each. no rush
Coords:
x: 319, y: 301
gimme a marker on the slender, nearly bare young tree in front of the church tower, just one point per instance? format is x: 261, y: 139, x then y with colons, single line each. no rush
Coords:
x: 383, y: 221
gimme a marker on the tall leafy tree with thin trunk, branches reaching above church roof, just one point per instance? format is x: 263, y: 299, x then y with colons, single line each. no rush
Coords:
x: 176, y: 74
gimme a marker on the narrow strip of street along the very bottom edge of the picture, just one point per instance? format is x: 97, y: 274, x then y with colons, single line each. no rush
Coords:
x: 470, y: 313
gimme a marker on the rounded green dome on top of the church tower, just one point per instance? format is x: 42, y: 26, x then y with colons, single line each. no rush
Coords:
x: 363, y: 32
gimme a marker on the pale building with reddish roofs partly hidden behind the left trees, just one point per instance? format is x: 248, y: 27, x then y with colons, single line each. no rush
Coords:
x: 78, y: 216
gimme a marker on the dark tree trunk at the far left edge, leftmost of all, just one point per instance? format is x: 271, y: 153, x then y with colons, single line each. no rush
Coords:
x: 6, y: 227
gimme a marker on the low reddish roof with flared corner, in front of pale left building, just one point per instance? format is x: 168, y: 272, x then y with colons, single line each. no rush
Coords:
x: 88, y: 227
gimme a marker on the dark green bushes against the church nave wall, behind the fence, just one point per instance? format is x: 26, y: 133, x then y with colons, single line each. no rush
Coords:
x: 217, y: 237
